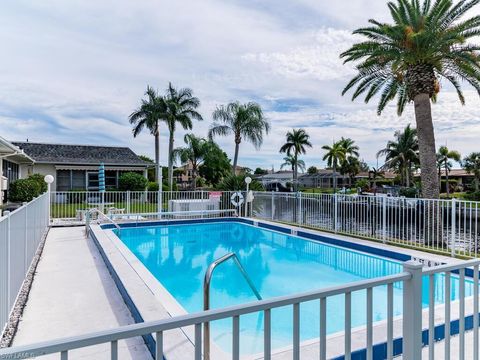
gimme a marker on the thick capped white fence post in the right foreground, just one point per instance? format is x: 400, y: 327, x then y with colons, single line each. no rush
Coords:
x: 412, y: 312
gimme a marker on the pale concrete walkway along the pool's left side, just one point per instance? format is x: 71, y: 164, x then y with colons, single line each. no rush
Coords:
x: 73, y: 294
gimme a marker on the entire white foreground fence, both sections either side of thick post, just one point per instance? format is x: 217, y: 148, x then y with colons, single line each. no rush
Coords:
x: 415, y: 321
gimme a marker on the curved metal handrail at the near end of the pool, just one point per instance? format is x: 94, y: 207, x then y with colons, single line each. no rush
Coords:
x: 206, y: 294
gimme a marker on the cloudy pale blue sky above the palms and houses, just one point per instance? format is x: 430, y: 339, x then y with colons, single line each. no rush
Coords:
x: 73, y: 71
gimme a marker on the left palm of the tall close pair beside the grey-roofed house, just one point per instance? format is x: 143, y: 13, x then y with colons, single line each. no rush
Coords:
x: 148, y: 115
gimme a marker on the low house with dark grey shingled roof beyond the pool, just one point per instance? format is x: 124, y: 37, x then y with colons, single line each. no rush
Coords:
x: 75, y: 167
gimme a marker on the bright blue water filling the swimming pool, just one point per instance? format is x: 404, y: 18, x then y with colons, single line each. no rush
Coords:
x: 279, y: 264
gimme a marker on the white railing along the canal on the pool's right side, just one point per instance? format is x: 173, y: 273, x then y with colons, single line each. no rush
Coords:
x: 449, y: 226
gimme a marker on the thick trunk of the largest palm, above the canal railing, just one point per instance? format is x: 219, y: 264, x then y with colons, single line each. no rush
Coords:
x: 426, y: 144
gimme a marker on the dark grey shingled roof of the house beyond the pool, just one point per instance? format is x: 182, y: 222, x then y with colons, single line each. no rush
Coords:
x: 80, y: 154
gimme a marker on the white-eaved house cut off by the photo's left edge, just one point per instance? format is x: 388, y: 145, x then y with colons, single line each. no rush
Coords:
x: 12, y: 159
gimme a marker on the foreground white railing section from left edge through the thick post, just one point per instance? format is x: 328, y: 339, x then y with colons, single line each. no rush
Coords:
x: 411, y: 278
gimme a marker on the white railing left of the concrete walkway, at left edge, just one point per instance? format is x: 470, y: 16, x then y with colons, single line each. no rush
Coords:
x: 21, y: 232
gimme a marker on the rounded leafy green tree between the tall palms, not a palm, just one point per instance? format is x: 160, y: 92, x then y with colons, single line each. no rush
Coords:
x: 216, y: 164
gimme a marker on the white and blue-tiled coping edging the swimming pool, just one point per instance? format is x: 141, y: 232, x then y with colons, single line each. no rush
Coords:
x: 167, y: 306
